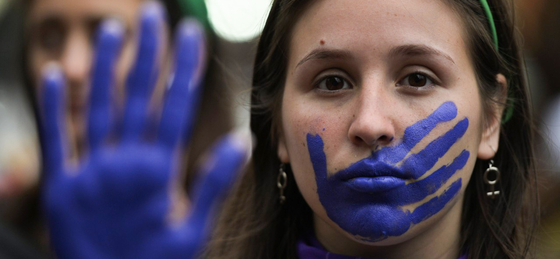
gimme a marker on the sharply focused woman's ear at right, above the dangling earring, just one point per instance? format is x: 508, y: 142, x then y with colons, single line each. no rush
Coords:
x: 491, y: 132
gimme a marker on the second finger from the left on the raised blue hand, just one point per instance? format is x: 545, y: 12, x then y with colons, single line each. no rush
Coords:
x: 109, y: 41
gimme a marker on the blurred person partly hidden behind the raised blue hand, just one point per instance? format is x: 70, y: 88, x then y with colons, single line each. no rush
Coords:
x: 63, y: 31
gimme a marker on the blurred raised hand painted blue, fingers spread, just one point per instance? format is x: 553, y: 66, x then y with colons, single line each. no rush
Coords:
x: 116, y: 202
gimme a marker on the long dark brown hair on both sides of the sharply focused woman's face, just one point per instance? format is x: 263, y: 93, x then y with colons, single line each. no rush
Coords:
x: 254, y: 225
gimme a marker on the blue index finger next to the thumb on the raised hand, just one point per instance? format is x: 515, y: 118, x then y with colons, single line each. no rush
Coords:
x: 183, y: 97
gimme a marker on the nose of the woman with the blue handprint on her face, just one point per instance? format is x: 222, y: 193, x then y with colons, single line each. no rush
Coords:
x: 372, y: 124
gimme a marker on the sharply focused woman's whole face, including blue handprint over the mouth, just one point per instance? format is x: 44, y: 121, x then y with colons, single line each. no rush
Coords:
x: 382, y: 119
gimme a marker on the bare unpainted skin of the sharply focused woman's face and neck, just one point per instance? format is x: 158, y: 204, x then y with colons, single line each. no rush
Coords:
x: 376, y: 103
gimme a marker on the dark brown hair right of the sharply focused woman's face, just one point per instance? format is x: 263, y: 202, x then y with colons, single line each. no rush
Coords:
x: 504, y: 227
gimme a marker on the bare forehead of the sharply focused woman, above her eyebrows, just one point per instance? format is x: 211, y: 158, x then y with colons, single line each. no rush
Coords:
x: 371, y: 27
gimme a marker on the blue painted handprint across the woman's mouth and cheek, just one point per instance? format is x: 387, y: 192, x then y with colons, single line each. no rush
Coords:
x: 377, y: 215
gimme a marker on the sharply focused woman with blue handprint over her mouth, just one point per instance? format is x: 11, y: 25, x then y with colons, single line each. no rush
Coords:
x: 386, y: 129
